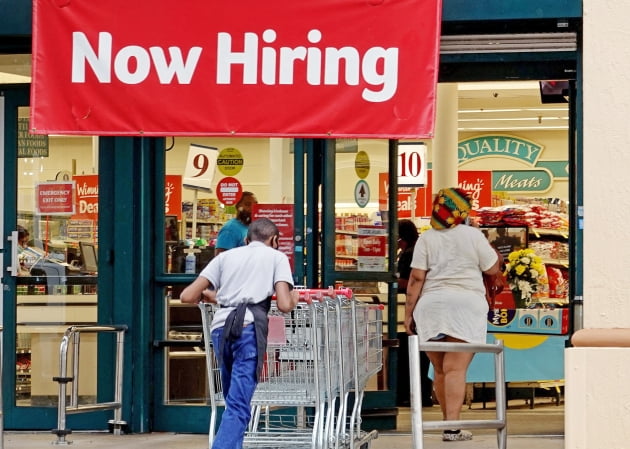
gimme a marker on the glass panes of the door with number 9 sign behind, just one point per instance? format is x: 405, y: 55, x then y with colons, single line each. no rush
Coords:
x: 193, y: 218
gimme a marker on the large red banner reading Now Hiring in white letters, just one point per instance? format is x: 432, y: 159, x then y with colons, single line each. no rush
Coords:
x: 327, y: 68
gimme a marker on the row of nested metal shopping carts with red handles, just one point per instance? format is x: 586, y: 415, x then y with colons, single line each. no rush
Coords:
x: 319, y: 359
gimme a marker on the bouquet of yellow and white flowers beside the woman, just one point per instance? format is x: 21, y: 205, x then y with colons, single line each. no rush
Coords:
x: 525, y: 273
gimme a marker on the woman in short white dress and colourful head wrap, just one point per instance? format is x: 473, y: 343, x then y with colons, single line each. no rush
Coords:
x: 445, y: 298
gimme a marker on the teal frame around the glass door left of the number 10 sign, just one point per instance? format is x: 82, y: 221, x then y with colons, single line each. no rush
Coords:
x: 315, y: 168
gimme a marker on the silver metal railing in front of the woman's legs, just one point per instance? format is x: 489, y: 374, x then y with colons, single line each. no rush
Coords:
x: 417, y: 424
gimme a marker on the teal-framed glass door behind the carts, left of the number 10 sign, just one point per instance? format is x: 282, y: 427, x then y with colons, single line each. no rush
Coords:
x: 359, y: 247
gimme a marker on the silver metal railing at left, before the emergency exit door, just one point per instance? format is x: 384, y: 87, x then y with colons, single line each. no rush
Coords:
x: 72, y: 335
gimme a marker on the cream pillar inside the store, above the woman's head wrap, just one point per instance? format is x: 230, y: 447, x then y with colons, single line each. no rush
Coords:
x: 444, y: 148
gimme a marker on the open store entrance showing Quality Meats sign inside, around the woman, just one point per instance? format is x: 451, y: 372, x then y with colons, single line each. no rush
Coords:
x: 516, y: 157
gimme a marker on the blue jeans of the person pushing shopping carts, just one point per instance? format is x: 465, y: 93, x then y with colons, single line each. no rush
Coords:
x: 238, y: 379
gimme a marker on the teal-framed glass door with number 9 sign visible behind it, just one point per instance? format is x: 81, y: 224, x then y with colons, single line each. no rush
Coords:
x: 186, y: 233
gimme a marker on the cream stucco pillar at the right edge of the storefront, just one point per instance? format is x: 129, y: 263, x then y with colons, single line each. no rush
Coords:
x: 597, y: 388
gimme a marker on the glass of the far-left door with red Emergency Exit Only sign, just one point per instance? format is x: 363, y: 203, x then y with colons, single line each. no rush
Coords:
x: 57, y: 223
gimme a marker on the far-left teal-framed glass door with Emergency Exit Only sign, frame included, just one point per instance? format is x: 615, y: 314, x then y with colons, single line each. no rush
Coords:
x: 50, y: 236
